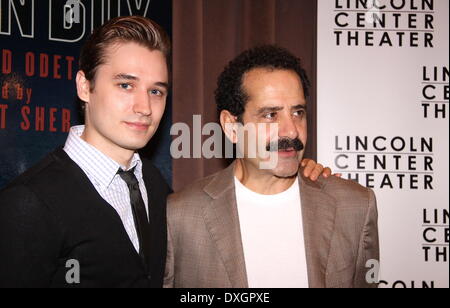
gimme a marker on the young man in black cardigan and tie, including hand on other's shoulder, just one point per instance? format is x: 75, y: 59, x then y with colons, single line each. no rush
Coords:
x: 93, y: 214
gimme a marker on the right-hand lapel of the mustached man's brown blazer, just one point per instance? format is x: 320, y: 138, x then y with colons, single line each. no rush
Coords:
x: 318, y: 224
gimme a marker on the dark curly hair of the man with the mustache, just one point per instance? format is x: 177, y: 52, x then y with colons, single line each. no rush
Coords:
x: 230, y: 94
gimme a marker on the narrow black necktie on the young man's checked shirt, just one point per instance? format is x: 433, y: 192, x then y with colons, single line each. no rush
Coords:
x: 139, y: 214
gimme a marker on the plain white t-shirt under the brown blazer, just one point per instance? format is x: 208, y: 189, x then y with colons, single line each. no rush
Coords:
x: 272, y: 237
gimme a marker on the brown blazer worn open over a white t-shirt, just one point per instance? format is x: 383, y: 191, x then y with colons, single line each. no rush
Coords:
x: 205, y: 247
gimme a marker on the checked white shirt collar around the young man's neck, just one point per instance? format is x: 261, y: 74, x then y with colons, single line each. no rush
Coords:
x: 94, y: 163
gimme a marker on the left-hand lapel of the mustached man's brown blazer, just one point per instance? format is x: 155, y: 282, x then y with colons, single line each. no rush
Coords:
x: 222, y: 221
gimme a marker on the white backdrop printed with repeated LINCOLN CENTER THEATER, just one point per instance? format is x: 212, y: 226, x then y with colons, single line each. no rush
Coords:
x: 383, y: 104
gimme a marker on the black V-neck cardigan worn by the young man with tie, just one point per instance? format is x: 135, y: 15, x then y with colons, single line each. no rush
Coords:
x: 53, y: 214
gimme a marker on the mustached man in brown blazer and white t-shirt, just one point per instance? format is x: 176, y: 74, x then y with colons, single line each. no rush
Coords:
x: 249, y: 226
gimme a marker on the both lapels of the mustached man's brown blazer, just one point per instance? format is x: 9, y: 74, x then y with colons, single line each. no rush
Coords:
x: 222, y: 220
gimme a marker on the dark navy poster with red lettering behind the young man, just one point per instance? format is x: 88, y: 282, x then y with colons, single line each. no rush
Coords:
x: 40, y: 42
